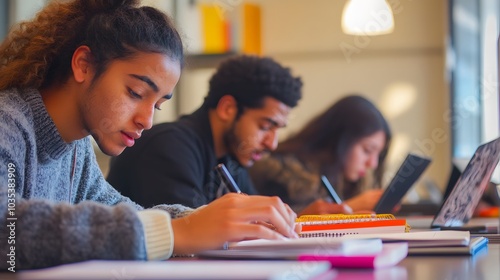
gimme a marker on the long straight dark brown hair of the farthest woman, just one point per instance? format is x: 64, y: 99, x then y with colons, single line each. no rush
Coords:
x: 326, y: 140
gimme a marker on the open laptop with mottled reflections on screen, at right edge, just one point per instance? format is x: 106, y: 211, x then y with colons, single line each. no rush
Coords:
x: 459, y: 205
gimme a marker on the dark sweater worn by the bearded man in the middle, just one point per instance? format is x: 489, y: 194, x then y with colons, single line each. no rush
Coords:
x: 174, y: 163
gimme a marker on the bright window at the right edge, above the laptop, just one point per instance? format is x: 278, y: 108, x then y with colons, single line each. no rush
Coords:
x: 474, y: 74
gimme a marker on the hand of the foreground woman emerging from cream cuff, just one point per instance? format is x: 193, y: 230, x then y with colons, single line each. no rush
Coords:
x: 233, y: 217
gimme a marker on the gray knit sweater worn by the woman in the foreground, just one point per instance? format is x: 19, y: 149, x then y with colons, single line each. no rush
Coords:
x: 64, y: 211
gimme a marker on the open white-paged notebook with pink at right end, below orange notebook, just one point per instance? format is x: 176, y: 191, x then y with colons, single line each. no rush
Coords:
x: 356, y: 253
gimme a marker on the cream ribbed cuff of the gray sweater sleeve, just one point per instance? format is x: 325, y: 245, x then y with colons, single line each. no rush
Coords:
x: 158, y: 233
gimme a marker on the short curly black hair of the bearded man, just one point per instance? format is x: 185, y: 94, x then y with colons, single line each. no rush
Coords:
x: 249, y: 79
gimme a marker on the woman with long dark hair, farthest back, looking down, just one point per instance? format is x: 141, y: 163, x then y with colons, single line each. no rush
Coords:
x: 346, y: 143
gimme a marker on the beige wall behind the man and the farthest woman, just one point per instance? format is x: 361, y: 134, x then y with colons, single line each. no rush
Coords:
x: 403, y: 72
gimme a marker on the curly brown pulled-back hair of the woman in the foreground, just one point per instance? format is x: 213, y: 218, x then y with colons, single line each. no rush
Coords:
x: 38, y: 53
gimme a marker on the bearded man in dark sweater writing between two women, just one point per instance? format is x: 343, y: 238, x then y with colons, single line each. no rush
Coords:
x: 248, y: 101
